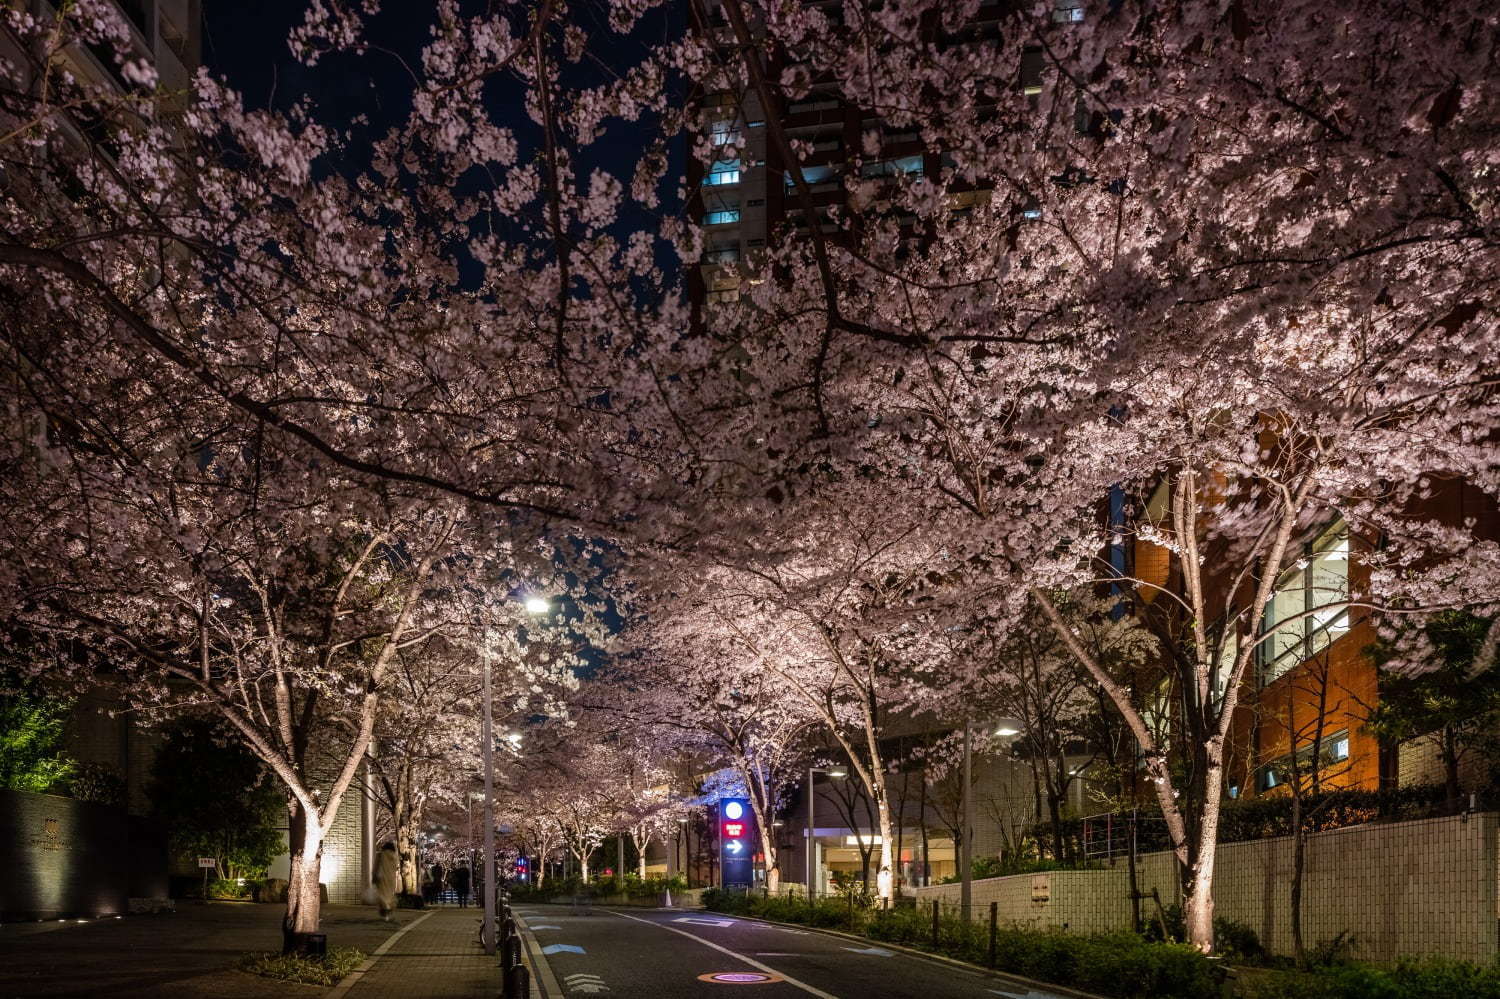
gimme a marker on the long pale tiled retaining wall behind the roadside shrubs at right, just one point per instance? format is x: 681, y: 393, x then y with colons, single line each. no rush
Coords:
x: 1426, y: 887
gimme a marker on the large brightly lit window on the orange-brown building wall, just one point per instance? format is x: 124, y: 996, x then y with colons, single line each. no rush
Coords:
x: 1310, y: 608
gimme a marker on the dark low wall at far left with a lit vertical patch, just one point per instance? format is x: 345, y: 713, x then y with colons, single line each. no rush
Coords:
x: 65, y: 857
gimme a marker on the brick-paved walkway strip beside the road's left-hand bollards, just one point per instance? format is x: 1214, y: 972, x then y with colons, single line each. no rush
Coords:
x: 439, y: 958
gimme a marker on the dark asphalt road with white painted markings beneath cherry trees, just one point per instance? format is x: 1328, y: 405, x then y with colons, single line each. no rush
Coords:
x: 670, y: 953
